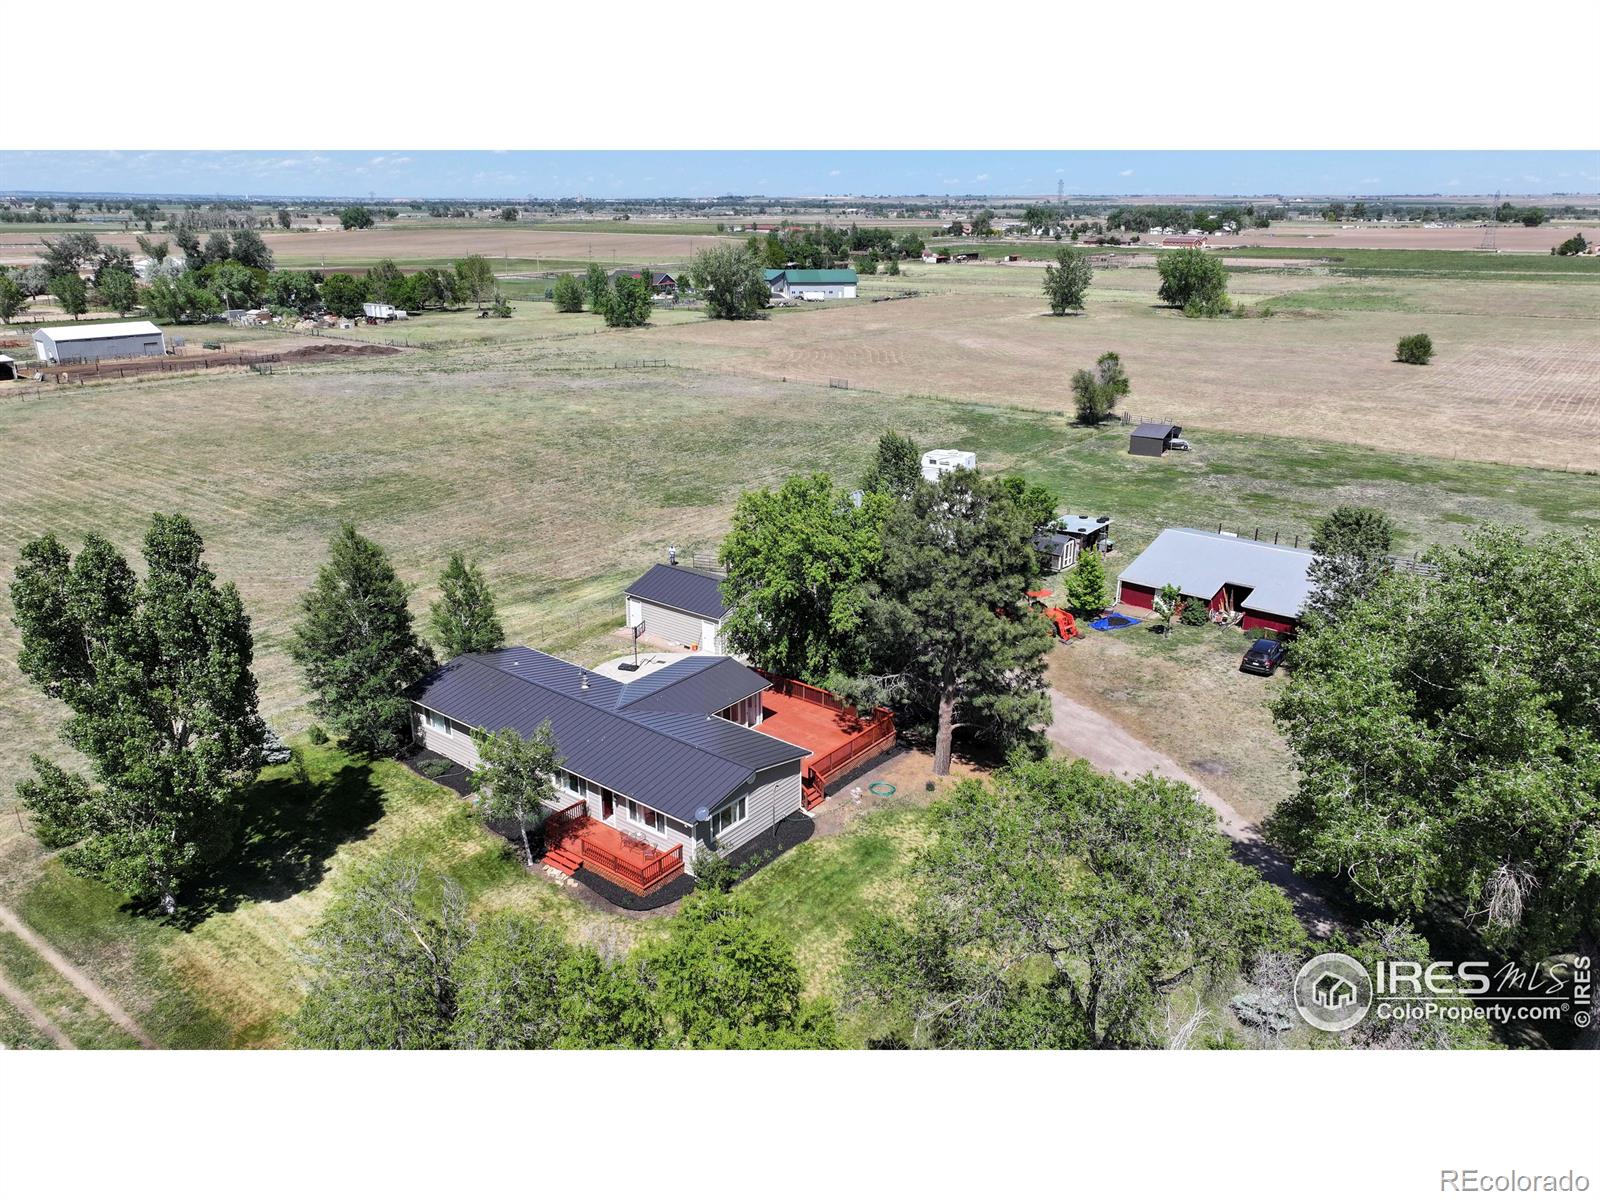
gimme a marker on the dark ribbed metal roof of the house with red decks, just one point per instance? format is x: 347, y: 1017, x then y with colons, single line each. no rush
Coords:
x: 676, y: 762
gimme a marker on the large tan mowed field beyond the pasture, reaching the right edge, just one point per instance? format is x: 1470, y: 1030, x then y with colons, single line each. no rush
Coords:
x: 1514, y: 375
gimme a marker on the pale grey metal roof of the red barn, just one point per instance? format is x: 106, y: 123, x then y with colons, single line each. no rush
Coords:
x: 1201, y: 564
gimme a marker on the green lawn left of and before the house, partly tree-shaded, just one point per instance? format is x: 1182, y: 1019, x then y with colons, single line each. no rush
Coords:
x: 225, y: 972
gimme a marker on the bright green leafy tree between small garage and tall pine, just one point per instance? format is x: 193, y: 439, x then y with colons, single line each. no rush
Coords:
x: 801, y: 562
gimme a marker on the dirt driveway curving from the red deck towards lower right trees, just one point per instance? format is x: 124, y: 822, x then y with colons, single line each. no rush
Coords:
x: 1087, y: 734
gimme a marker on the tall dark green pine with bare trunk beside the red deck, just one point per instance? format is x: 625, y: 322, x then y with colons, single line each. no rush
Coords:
x: 950, y: 630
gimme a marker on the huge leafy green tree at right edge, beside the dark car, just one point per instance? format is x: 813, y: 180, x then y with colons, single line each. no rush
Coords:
x: 1447, y: 742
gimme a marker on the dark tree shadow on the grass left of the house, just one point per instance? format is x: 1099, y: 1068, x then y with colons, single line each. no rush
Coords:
x: 290, y: 830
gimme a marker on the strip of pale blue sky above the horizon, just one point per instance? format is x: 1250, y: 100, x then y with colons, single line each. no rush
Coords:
x: 697, y: 174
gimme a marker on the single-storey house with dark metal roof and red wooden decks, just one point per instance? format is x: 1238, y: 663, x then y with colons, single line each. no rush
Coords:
x: 698, y: 754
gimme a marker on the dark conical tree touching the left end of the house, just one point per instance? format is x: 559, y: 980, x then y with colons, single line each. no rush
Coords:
x: 358, y: 649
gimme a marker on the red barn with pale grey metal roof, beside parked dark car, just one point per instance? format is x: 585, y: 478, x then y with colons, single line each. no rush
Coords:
x: 1265, y: 585
